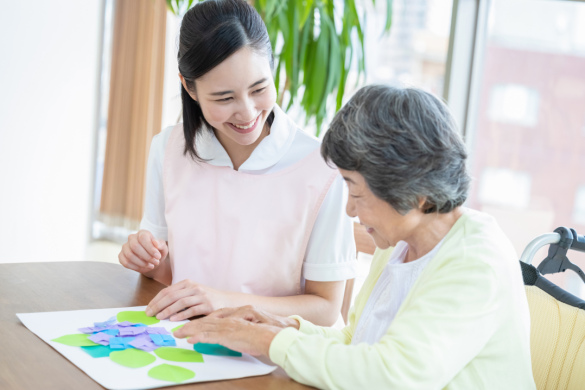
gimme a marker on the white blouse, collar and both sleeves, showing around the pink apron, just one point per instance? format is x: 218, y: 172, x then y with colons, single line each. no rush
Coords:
x: 330, y: 252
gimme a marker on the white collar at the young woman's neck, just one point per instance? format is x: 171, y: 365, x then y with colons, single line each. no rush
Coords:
x: 268, y: 152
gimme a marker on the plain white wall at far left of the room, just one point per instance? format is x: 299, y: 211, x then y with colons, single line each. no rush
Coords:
x: 48, y: 94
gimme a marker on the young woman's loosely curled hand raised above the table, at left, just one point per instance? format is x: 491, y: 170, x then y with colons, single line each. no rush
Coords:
x: 142, y: 252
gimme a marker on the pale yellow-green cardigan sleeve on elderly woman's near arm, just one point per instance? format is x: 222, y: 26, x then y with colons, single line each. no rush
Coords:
x: 447, y: 319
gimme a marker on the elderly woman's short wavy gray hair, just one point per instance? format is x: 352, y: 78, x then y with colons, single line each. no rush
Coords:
x: 405, y: 144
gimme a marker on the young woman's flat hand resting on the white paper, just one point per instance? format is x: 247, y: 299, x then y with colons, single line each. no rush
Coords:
x: 186, y: 299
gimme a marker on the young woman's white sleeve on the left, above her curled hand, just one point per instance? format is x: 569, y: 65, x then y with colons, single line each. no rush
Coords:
x: 153, y: 218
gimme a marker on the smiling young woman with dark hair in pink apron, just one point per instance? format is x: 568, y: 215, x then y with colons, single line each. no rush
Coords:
x: 240, y: 207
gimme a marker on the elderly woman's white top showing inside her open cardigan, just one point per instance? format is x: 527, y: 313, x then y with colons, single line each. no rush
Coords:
x: 390, y: 290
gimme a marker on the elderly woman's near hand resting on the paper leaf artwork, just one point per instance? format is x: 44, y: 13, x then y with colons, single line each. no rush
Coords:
x: 233, y: 332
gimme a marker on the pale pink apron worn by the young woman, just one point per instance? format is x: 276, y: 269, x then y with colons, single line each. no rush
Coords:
x: 236, y: 231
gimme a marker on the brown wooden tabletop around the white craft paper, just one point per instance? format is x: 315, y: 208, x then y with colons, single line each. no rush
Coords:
x: 27, y: 362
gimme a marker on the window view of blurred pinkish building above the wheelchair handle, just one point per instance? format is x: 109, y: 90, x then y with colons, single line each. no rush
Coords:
x: 527, y: 144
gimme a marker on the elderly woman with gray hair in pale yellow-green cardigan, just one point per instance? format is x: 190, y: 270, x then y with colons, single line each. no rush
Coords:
x: 443, y: 305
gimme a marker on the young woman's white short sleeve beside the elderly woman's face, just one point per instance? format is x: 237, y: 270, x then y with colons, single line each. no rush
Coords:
x: 331, y: 254
